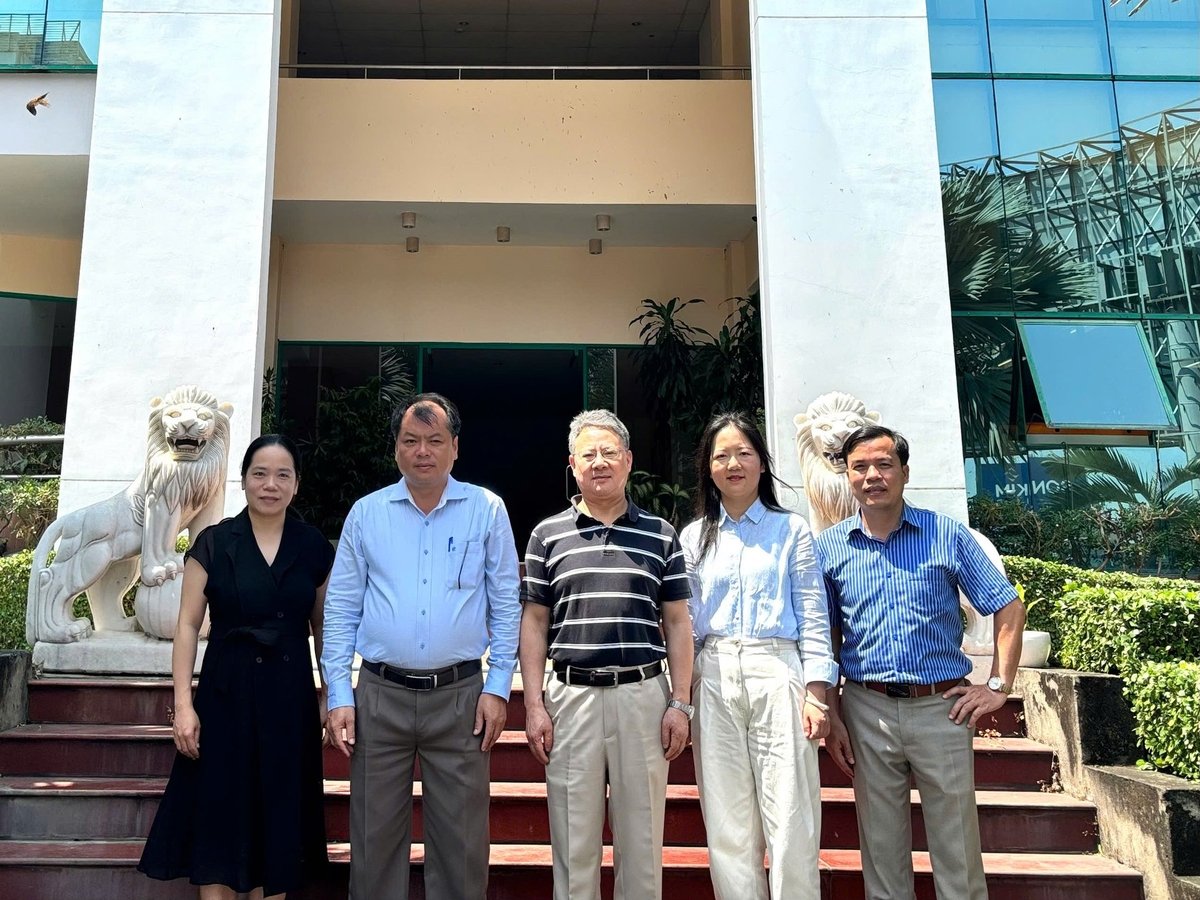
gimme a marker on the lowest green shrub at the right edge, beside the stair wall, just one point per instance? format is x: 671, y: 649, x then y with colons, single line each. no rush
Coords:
x: 1166, y: 699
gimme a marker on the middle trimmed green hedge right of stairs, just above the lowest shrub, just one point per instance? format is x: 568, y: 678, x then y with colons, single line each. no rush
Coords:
x: 1118, y: 631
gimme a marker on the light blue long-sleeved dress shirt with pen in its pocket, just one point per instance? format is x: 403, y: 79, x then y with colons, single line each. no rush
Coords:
x: 423, y: 592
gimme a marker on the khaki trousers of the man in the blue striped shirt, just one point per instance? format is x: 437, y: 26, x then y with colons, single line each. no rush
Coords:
x: 892, y: 740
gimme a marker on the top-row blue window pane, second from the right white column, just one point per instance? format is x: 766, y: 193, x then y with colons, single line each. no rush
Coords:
x: 1052, y: 37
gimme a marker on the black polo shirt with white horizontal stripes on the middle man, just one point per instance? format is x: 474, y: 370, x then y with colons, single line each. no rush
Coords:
x: 605, y: 586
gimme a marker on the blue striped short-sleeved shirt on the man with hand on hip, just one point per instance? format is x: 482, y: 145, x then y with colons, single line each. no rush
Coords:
x: 897, y: 601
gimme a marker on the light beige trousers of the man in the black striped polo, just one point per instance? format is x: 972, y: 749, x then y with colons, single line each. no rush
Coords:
x: 608, y: 736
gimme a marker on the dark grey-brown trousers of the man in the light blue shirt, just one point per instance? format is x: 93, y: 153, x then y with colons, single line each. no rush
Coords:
x: 395, y: 728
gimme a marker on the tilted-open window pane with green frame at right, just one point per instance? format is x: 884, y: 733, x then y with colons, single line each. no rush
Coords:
x: 1070, y: 361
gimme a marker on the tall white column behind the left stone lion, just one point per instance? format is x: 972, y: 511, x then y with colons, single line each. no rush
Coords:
x: 173, y: 273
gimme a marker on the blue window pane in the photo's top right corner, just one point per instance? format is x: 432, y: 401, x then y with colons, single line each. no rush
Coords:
x: 1162, y: 39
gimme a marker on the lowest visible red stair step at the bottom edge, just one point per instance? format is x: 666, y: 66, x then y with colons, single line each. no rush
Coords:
x: 103, y: 869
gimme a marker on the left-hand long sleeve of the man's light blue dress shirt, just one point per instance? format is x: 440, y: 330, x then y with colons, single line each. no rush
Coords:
x: 344, y: 613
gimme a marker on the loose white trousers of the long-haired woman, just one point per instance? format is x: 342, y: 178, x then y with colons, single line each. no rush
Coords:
x: 760, y: 790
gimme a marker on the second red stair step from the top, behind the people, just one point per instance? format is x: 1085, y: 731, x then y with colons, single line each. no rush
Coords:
x: 131, y: 751
